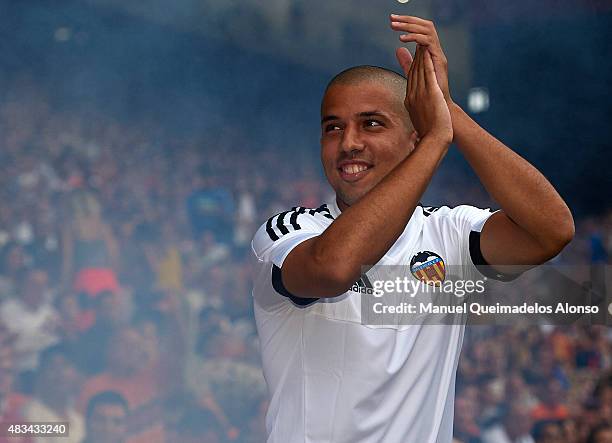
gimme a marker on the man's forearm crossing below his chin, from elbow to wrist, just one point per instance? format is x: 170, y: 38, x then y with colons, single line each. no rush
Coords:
x: 366, y: 230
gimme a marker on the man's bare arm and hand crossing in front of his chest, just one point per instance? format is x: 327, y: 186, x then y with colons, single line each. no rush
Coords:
x: 327, y: 265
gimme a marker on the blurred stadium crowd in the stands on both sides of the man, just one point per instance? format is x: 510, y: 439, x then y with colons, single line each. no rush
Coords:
x: 125, y: 279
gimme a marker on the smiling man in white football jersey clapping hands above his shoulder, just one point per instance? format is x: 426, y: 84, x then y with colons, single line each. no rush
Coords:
x: 332, y: 378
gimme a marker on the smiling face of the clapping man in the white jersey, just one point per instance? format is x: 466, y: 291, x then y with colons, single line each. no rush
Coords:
x: 365, y: 133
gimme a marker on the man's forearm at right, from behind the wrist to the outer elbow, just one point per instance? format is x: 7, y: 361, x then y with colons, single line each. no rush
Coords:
x: 523, y: 193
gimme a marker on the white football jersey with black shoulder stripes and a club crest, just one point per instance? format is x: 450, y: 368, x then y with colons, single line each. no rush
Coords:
x: 332, y: 379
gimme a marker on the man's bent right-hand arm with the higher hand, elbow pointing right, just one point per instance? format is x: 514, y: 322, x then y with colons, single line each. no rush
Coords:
x: 535, y: 223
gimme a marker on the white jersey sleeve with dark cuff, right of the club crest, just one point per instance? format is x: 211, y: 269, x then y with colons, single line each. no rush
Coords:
x: 469, y: 221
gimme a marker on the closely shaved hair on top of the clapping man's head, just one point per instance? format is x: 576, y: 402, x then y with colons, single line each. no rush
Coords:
x: 391, y: 80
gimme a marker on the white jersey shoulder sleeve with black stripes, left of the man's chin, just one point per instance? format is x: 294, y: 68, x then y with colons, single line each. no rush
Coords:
x: 276, y: 238
